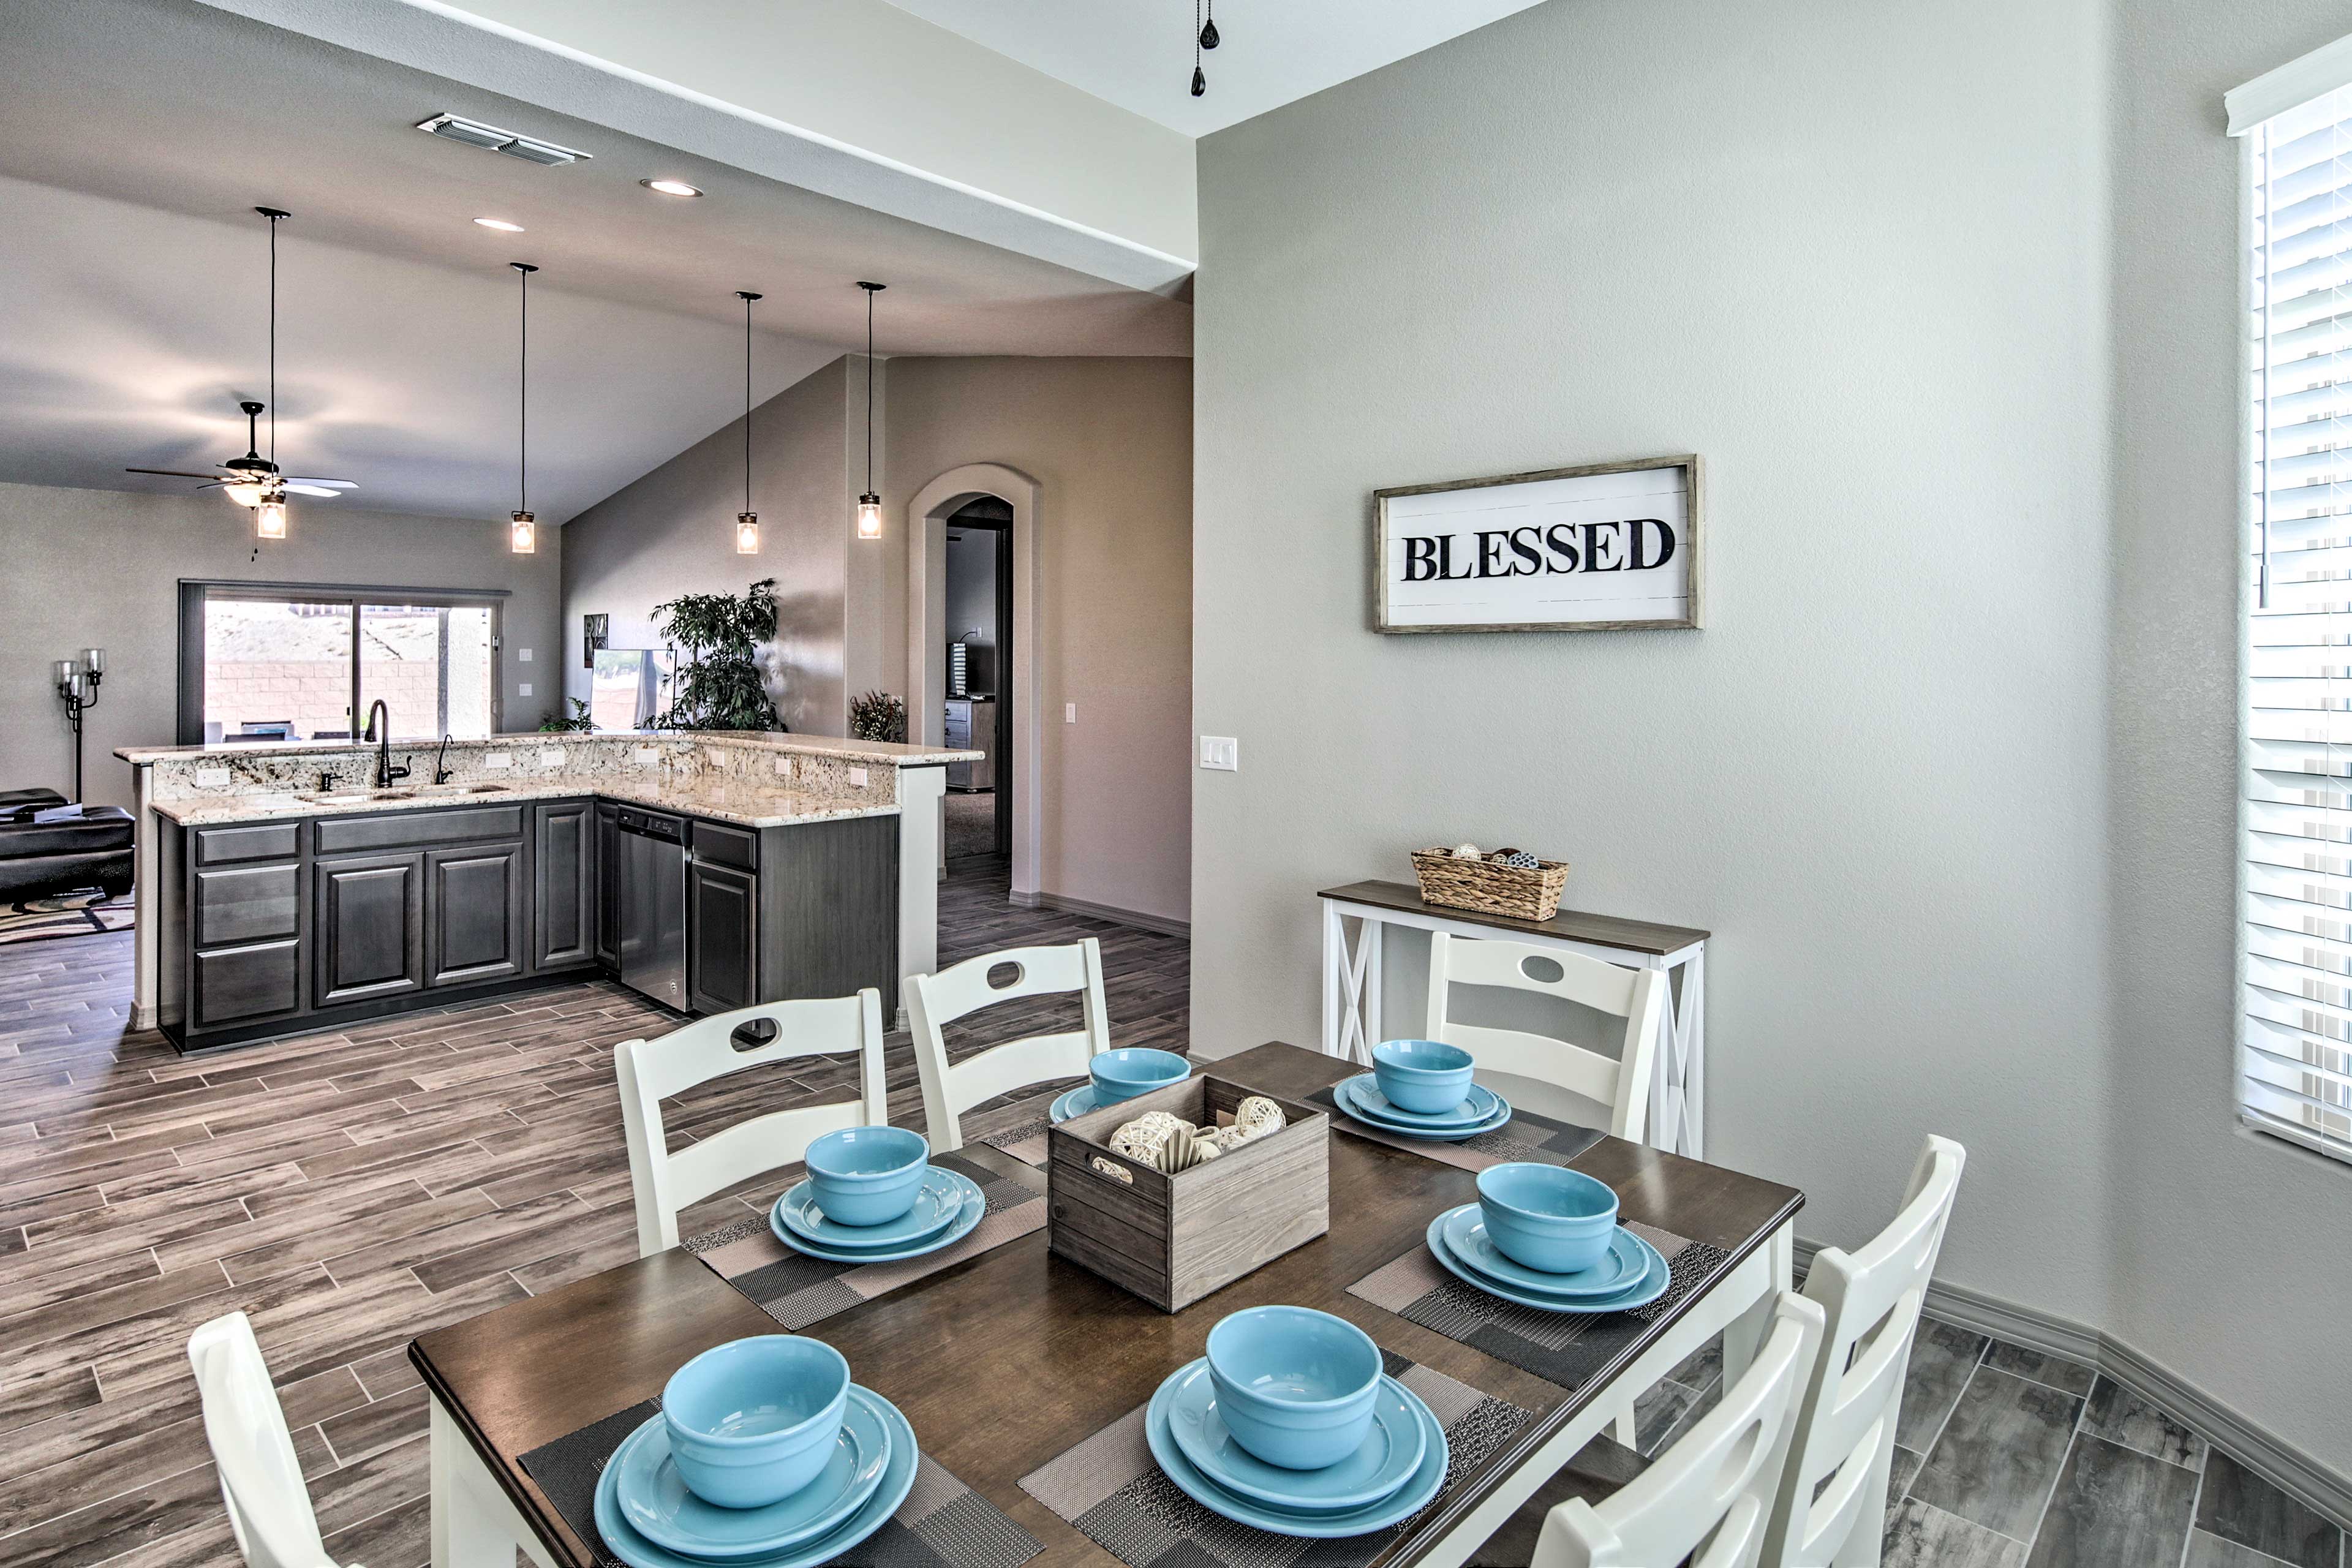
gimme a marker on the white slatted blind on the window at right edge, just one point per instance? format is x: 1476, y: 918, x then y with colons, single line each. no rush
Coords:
x: 2297, y: 1031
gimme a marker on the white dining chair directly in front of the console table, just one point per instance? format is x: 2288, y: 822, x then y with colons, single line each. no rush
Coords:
x: 1542, y: 1068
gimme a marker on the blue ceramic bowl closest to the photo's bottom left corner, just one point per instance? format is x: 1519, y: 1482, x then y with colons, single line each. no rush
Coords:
x: 754, y: 1421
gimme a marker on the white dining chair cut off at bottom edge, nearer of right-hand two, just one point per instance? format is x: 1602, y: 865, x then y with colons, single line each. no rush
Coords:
x: 1709, y: 1496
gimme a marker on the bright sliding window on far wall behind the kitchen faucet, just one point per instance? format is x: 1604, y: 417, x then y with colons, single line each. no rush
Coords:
x: 300, y: 664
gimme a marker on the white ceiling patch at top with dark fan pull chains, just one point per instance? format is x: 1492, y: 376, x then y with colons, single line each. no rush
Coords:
x: 1140, y: 53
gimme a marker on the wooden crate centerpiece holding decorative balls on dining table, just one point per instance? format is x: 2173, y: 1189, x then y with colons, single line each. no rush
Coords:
x: 1180, y: 1238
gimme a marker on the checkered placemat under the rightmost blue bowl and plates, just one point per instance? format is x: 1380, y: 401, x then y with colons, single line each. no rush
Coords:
x: 1565, y: 1348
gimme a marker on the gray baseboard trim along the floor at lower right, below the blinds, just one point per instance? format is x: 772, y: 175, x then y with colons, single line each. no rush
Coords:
x: 2240, y: 1438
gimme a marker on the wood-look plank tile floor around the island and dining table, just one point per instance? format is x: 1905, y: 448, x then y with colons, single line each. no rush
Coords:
x: 352, y: 1191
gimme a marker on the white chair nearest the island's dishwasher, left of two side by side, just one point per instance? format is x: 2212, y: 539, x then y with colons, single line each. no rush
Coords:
x: 707, y: 1050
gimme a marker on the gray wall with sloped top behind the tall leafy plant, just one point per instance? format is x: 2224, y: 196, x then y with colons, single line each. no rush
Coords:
x: 674, y: 532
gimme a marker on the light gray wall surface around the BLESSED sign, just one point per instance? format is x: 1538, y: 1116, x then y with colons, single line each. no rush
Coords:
x: 1852, y: 255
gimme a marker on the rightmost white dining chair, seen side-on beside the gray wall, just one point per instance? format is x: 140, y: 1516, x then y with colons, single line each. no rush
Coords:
x: 1833, y: 1499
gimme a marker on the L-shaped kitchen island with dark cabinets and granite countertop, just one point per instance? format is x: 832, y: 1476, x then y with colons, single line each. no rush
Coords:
x: 307, y: 885
